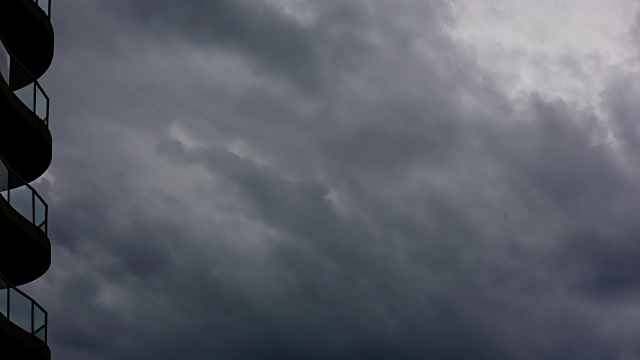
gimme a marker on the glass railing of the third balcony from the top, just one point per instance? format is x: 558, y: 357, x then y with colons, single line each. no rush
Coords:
x: 22, y: 197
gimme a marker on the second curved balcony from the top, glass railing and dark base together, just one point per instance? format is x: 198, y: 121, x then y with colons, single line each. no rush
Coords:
x: 25, y: 140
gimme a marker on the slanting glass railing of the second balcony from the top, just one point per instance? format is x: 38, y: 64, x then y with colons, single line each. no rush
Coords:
x: 23, y: 84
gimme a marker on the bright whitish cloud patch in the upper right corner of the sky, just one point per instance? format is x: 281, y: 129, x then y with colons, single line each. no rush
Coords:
x: 561, y: 48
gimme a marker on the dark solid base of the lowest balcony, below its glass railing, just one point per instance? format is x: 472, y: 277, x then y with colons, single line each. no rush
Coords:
x: 16, y: 343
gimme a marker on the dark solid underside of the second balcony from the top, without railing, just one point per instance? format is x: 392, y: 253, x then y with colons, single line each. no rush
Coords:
x: 25, y: 140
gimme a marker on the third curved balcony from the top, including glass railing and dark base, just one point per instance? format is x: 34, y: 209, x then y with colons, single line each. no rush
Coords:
x: 25, y: 250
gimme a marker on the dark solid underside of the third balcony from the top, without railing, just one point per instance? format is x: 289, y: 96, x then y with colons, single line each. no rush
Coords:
x: 25, y: 250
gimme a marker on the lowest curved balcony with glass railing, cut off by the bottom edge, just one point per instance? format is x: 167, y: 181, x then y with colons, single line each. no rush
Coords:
x: 23, y: 324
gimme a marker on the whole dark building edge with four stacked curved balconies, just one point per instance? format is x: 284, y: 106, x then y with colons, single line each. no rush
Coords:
x: 26, y: 52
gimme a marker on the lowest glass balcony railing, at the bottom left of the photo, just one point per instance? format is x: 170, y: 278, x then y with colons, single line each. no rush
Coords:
x: 22, y: 310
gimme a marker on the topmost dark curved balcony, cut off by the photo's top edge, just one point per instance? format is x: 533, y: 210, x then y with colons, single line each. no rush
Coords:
x: 26, y: 27
